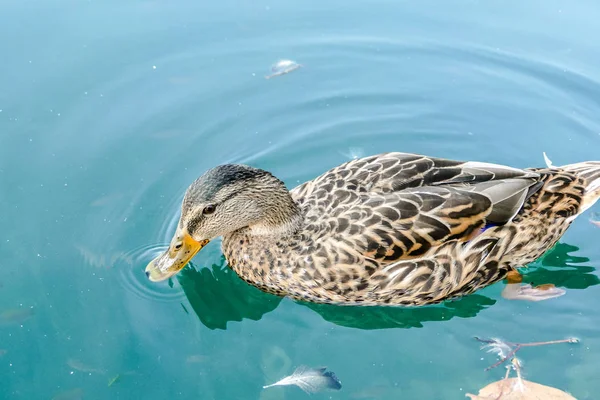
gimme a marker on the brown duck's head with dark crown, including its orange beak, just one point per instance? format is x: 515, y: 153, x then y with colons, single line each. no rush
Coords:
x: 223, y: 200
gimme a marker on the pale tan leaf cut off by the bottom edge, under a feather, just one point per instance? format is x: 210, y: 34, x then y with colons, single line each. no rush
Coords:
x: 519, y: 389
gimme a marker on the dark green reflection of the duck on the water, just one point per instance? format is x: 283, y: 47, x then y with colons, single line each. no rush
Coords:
x: 218, y: 296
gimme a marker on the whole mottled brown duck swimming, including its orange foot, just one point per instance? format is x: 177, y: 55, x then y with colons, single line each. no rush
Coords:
x: 388, y: 229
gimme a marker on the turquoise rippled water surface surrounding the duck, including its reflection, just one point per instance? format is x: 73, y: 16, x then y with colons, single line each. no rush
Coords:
x: 109, y: 110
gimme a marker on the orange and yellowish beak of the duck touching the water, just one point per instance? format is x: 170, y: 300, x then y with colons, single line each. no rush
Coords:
x: 183, y: 247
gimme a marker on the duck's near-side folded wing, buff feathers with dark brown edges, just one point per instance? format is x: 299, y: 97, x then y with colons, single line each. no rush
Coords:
x: 407, y: 224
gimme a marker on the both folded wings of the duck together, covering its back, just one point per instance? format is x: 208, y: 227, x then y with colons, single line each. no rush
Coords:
x: 399, y: 206
